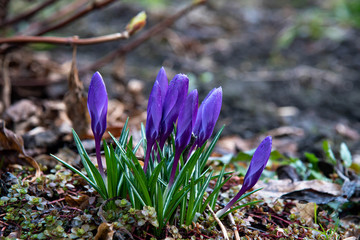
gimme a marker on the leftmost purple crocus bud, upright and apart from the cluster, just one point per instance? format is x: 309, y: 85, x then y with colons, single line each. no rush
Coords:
x: 97, y: 105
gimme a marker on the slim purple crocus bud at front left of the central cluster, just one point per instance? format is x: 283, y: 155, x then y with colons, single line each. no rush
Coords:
x: 153, y: 120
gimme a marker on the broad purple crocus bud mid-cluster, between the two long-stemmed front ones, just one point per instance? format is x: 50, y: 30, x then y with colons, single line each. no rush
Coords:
x: 174, y: 100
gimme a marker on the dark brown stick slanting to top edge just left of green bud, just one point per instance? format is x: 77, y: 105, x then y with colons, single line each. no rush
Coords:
x: 95, y: 5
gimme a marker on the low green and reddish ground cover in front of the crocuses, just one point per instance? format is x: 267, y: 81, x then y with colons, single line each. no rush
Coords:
x: 60, y: 205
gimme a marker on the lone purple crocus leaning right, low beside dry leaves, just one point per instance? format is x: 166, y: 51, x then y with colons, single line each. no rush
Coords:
x: 257, y: 165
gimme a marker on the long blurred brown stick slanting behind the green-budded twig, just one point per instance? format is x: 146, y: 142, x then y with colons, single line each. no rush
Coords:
x: 144, y: 37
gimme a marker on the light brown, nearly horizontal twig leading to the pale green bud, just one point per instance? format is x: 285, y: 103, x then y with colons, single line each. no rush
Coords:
x: 65, y: 40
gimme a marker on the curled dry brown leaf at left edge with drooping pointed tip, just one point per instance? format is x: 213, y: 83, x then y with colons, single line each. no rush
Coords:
x: 12, y: 150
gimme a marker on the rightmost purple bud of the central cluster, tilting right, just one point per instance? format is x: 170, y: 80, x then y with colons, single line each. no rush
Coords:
x: 207, y: 116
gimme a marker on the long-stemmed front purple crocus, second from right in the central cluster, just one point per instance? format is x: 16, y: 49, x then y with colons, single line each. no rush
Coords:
x: 186, y: 121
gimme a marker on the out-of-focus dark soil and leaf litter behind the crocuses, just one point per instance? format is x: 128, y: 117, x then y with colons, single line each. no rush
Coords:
x: 290, y: 69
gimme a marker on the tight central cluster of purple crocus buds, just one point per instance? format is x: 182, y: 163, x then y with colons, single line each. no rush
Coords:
x: 173, y: 103
